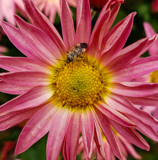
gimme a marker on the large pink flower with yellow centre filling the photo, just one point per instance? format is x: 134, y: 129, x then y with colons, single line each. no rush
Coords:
x: 84, y: 96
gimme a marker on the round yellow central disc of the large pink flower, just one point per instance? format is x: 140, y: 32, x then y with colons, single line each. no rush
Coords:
x: 79, y: 84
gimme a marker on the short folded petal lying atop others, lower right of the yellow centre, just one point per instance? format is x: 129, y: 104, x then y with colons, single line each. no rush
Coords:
x: 115, y: 115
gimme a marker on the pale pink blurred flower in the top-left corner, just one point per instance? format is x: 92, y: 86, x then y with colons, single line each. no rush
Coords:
x: 8, y: 9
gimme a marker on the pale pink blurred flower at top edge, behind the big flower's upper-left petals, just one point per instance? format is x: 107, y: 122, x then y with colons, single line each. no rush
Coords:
x: 50, y: 7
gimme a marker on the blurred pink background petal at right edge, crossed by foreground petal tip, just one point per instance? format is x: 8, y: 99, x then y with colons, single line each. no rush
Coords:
x: 149, y: 33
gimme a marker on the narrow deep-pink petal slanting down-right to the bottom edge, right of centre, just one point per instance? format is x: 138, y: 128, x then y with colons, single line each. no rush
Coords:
x: 108, y: 133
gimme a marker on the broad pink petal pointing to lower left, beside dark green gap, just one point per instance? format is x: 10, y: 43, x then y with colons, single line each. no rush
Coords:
x: 36, y: 128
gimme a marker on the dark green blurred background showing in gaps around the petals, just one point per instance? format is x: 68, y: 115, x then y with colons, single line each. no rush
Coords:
x: 144, y: 13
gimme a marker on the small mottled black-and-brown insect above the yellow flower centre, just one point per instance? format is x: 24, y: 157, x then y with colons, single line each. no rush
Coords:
x: 76, y: 52
